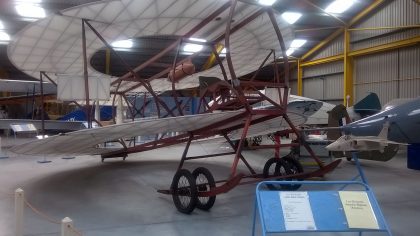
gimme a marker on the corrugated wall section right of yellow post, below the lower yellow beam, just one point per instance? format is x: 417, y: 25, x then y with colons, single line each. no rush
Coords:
x: 393, y: 74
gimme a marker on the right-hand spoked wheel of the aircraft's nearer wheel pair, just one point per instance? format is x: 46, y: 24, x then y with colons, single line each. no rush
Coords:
x: 205, y: 182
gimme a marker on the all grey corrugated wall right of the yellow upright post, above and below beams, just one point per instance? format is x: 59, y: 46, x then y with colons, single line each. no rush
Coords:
x: 392, y: 74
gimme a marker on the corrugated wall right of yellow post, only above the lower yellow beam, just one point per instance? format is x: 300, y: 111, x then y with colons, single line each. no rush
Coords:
x: 396, y: 13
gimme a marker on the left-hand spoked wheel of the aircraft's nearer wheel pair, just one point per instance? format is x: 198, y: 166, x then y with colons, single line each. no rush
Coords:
x: 184, y: 191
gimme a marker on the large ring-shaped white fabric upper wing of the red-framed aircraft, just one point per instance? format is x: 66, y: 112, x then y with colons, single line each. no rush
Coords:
x: 58, y: 49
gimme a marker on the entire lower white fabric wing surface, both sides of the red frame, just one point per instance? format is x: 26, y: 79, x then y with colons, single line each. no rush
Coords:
x: 86, y: 141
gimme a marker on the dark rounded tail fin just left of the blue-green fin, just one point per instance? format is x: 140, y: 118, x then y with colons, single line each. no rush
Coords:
x: 338, y: 116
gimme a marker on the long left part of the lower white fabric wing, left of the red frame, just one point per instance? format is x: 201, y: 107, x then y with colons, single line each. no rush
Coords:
x: 83, y: 141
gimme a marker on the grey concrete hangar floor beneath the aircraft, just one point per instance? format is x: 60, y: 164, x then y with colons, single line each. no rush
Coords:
x: 119, y: 197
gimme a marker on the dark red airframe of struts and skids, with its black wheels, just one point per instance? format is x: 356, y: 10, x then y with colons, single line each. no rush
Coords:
x: 198, y: 189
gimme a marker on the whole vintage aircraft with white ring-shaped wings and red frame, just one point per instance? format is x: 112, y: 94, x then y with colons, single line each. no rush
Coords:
x: 253, y: 36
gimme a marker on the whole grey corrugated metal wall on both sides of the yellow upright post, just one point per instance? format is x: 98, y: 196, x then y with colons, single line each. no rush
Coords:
x: 392, y: 74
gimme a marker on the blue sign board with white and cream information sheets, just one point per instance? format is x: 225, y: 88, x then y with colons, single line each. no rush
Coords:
x: 329, y: 209
